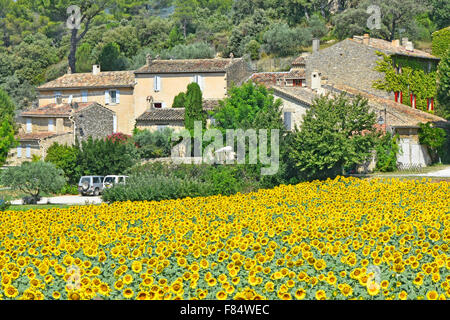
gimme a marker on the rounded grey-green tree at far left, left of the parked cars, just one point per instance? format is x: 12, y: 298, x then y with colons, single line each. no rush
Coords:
x: 34, y: 178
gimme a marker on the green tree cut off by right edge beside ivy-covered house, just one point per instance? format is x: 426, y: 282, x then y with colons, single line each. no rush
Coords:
x: 443, y: 91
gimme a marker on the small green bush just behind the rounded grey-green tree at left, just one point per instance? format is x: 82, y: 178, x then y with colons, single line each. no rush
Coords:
x: 66, y: 158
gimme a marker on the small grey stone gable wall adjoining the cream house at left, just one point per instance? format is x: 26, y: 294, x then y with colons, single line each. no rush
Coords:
x: 95, y: 121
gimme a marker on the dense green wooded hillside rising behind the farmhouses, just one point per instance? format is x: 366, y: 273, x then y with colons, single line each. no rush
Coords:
x: 36, y: 46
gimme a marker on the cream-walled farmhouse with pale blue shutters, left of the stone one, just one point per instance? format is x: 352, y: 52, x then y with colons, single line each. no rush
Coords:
x: 101, y: 103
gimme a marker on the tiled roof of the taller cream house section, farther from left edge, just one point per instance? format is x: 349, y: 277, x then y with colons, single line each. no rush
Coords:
x: 188, y: 65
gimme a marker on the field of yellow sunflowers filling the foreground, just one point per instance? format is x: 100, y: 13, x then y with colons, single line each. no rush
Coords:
x: 336, y: 239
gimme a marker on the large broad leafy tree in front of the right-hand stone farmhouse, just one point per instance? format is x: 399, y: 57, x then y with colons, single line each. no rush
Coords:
x: 335, y: 135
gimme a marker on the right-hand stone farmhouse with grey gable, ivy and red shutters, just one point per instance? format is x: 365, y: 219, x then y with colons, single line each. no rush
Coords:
x: 348, y: 67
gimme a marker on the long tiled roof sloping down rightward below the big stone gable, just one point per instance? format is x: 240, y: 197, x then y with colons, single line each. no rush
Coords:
x: 398, y: 114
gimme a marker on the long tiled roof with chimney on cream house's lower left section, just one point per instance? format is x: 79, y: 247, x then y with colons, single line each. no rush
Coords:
x: 110, y: 79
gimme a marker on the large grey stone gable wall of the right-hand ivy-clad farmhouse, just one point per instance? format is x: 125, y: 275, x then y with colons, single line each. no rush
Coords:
x: 349, y: 63
